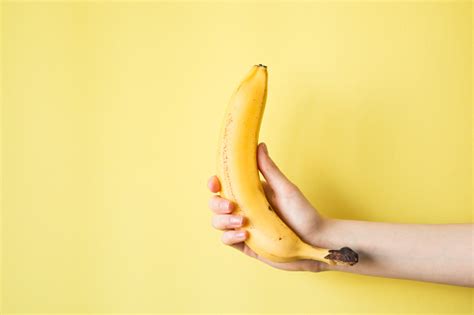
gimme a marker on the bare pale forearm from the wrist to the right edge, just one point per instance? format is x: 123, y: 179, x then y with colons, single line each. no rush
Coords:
x: 435, y: 253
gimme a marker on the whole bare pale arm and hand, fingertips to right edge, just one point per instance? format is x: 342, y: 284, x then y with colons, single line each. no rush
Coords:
x: 441, y: 253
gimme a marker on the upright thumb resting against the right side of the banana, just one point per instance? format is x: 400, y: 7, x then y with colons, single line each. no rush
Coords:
x: 272, y: 174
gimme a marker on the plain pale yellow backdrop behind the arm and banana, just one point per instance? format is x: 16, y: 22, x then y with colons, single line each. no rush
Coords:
x: 110, y: 120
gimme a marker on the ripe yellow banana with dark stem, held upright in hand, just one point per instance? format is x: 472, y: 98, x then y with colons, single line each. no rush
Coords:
x: 237, y: 171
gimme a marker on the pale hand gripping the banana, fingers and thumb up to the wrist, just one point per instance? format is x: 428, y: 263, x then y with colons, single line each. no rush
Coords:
x: 287, y: 201
